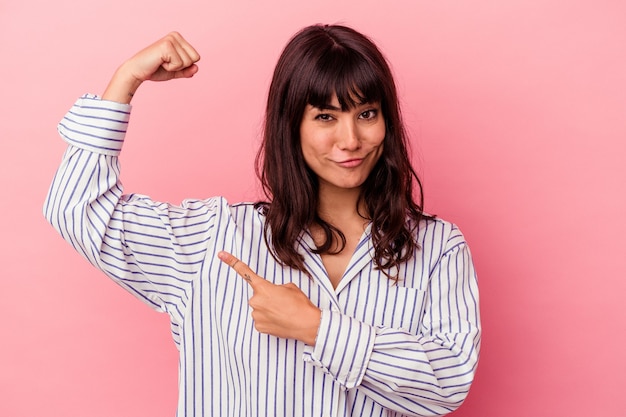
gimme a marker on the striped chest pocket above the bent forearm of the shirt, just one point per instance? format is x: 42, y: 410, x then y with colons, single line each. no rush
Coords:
x: 395, y: 307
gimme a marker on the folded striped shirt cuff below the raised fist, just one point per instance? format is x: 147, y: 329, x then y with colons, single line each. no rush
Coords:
x: 96, y: 125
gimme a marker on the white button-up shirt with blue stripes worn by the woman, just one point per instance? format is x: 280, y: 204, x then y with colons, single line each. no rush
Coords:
x: 382, y: 349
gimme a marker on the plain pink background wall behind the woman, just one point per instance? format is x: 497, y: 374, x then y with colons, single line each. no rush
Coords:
x: 518, y: 114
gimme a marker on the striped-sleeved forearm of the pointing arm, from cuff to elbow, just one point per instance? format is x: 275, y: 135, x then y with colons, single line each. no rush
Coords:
x: 412, y: 374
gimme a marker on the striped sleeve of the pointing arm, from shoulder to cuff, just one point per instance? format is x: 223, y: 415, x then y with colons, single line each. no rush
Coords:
x: 423, y: 374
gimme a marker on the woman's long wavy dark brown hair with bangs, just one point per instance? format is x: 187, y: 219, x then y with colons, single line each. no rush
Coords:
x: 317, y: 63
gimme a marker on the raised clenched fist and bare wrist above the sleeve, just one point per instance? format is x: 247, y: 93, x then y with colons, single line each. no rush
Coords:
x: 168, y: 58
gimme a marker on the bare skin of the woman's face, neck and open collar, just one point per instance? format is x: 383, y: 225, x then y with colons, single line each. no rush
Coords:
x: 341, y: 147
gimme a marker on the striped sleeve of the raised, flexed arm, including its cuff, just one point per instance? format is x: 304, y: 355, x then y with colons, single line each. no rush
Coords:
x: 152, y: 249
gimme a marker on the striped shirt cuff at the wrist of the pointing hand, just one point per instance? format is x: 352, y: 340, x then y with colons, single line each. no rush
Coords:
x: 343, y: 348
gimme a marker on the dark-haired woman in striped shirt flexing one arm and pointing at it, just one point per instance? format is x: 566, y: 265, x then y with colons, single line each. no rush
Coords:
x: 352, y: 302
